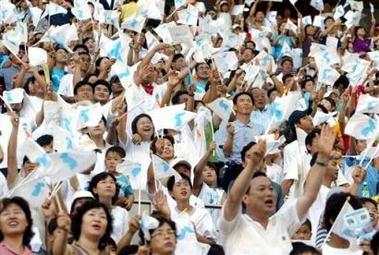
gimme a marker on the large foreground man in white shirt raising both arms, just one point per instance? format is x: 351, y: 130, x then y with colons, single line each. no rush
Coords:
x: 255, y: 232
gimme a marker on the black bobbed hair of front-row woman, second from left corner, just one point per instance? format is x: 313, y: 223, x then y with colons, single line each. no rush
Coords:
x: 77, y: 220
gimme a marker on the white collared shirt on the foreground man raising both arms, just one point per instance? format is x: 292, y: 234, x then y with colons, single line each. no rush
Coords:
x: 243, y: 235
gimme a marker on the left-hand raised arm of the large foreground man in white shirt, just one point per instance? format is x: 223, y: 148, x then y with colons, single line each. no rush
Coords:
x: 233, y: 202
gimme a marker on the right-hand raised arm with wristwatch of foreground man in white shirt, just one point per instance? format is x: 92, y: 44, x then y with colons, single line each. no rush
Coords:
x: 316, y: 174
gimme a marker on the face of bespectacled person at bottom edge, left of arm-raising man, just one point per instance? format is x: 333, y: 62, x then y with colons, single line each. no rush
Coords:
x: 163, y: 240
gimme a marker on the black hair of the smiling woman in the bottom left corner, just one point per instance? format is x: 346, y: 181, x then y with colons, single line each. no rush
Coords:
x: 23, y: 204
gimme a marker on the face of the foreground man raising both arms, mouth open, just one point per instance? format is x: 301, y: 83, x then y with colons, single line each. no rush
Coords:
x: 261, y: 198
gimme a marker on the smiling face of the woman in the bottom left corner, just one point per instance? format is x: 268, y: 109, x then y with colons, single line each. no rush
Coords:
x: 13, y: 220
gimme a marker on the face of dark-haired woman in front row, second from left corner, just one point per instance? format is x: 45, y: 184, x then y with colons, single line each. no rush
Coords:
x: 94, y: 223
